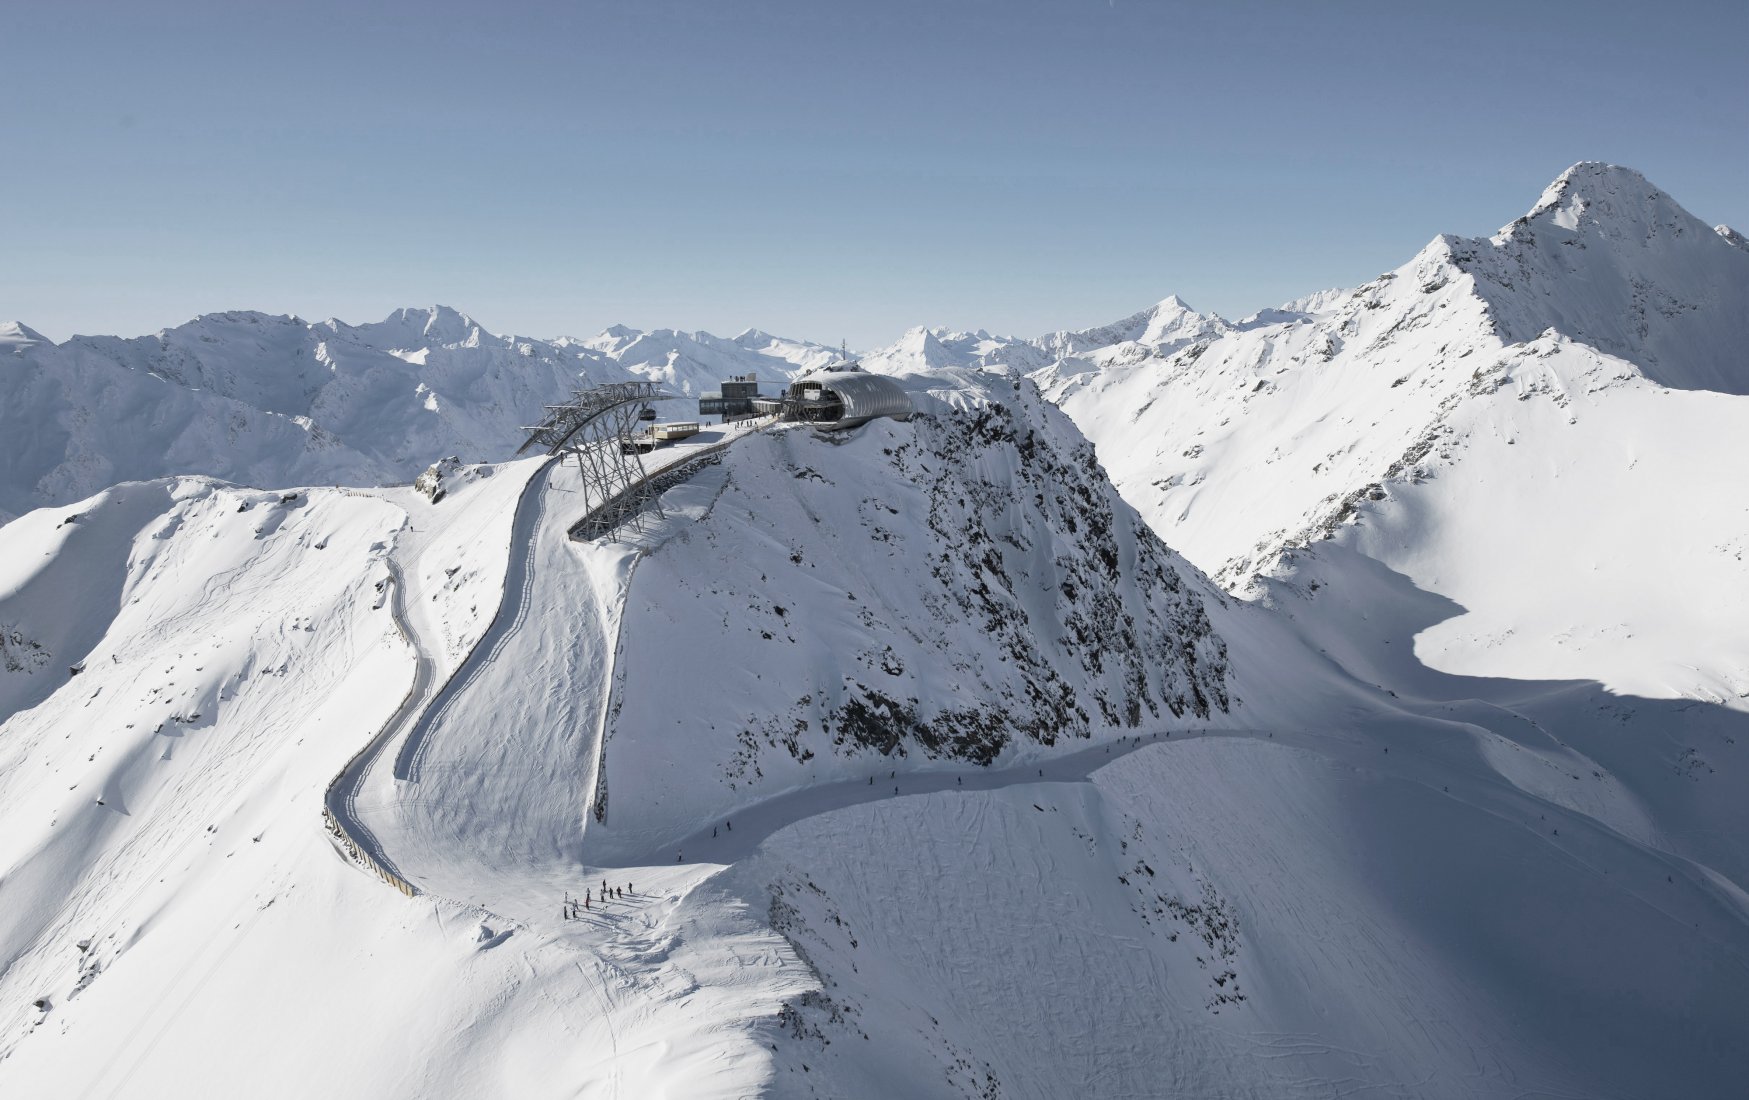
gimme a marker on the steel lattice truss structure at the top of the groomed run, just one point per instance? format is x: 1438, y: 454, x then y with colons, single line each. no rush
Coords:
x: 596, y: 428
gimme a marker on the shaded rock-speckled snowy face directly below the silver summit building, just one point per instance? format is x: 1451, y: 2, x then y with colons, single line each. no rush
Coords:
x: 961, y: 588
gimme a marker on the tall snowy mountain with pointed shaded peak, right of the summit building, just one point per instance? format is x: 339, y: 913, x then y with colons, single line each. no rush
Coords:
x: 1531, y: 426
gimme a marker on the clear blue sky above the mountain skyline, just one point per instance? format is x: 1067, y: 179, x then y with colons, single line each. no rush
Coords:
x: 821, y: 171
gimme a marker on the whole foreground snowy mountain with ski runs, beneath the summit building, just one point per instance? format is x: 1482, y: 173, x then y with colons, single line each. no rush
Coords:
x: 1010, y: 802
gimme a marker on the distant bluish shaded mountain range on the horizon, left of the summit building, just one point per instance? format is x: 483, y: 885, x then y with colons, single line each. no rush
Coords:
x: 279, y: 401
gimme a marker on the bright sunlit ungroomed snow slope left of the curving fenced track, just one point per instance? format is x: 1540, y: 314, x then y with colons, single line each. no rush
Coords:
x: 176, y: 919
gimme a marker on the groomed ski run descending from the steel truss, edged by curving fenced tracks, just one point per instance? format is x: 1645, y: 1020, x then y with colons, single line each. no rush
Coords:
x: 484, y: 786
